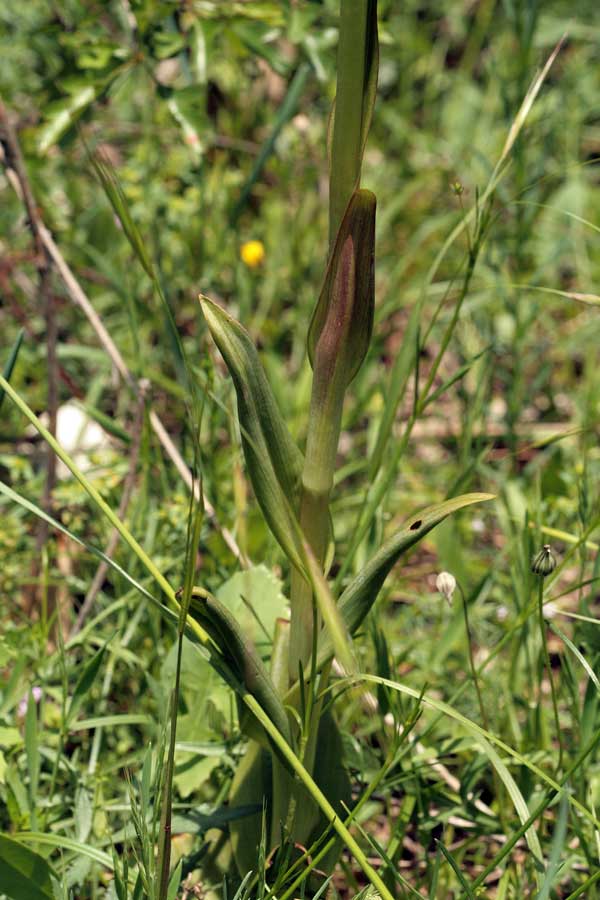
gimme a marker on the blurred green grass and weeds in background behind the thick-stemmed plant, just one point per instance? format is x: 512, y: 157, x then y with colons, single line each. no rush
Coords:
x: 214, y: 117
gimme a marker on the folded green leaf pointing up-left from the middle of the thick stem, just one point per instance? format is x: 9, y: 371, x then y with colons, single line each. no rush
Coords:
x: 273, y: 460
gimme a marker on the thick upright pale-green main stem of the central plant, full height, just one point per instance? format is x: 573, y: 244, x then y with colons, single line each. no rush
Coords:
x: 355, y: 64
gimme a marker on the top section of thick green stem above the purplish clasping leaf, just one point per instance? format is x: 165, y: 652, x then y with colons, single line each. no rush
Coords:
x: 346, y: 150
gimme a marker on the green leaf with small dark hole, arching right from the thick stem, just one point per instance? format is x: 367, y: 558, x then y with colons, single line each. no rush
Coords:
x: 360, y: 595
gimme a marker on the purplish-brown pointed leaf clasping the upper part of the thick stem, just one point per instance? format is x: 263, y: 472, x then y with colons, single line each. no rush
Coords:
x: 342, y: 323
